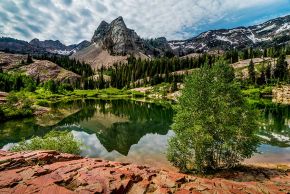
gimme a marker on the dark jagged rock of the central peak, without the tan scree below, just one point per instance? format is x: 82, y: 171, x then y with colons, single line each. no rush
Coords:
x: 120, y: 40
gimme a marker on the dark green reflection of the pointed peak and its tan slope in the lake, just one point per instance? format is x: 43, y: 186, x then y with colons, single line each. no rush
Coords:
x: 119, y: 124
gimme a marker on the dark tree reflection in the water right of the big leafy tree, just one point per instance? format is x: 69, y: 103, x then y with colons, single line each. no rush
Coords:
x: 276, y: 122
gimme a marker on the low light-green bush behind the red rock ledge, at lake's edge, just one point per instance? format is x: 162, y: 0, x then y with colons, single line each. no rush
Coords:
x: 62, y: 141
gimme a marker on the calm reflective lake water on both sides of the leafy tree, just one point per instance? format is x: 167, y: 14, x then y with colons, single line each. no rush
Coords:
x: 136, y: 132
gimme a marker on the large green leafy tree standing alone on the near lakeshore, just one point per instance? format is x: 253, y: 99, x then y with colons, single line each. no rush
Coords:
x: 214, y: 128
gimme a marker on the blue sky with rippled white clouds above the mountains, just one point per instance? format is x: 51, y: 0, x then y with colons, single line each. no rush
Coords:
x: 72, y: 21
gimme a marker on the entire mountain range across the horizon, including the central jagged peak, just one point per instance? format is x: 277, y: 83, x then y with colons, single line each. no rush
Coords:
x: 118, y: 40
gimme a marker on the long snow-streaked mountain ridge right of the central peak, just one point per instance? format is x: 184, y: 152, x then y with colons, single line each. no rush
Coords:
x: 275, y: 31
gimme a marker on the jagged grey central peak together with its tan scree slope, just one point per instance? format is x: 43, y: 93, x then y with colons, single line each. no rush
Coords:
x: 114, y: 42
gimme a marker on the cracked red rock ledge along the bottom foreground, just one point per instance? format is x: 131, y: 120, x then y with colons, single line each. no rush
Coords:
x: 52, y: 172
